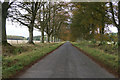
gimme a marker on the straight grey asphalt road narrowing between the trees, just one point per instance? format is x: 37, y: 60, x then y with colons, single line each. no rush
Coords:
x: 66, y: 62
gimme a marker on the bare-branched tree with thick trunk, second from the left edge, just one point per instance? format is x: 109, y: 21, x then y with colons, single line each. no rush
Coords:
x: 25, y: 14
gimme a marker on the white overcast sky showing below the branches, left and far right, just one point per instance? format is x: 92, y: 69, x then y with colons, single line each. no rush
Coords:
x: 18, y: 30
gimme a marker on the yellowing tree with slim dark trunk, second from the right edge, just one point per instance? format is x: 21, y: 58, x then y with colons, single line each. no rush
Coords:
x: 103, y: 18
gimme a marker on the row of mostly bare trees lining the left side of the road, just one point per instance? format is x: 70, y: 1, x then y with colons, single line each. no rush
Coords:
x: 48, y: 17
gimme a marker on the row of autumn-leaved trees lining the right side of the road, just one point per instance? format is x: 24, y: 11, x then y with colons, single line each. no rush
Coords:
x: 90, y: 20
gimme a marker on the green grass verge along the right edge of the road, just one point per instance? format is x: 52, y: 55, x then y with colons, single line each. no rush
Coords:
x: 109, y: 60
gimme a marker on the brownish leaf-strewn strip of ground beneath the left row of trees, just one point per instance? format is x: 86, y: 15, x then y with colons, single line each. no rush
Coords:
x: 16, y: 49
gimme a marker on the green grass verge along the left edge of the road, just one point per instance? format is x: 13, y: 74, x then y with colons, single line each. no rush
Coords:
x: 14, y: 63
